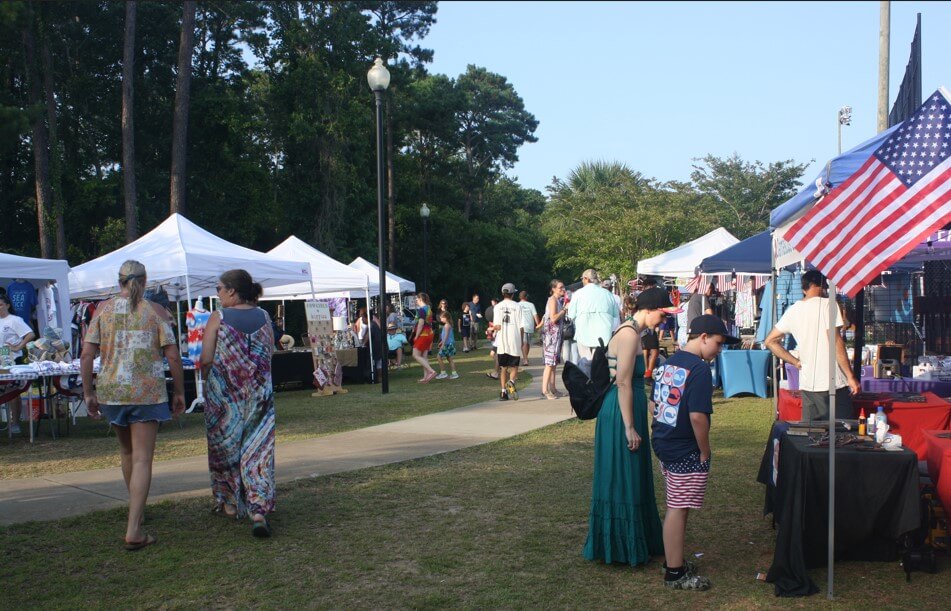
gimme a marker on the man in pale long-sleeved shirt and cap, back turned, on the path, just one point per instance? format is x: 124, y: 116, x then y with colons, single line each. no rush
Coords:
x: 595, y: 314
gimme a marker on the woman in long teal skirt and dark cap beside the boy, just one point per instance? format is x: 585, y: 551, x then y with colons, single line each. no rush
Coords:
x: 623, y: 525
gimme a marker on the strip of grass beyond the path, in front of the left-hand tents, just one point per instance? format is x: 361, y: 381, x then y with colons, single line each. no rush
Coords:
x: 299, y: 416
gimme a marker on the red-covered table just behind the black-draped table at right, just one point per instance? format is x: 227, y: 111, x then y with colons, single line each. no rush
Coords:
x: 906, y: 418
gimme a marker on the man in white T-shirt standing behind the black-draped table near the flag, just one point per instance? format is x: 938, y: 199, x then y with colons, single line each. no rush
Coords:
x: 808, y: 321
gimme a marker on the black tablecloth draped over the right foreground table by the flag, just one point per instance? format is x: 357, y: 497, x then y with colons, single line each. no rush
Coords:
x: 876, y: 502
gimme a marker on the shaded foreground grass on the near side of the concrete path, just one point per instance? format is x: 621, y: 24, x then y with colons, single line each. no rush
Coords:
x: 498, y: 525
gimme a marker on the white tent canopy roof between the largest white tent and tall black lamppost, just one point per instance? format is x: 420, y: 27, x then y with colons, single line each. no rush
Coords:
x: 329, y: 275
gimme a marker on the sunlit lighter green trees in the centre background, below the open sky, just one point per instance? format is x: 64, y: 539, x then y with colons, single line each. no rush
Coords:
x: 608, y: 216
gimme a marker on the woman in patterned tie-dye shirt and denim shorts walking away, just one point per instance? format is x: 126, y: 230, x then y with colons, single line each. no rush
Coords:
x: 132, y: 335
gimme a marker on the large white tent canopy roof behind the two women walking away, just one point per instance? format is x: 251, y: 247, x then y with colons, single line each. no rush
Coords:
x: 183, y: 257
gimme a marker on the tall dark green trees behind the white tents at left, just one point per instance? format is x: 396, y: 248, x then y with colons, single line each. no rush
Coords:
x: 280, y: 134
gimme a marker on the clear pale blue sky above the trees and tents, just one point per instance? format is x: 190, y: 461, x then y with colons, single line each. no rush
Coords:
x: 655, y: 85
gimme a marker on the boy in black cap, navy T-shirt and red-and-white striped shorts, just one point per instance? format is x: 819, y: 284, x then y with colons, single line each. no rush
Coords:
x: 683, y: 402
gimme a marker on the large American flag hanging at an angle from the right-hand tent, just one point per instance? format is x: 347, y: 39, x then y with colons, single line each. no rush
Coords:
x: 899, y: 197
